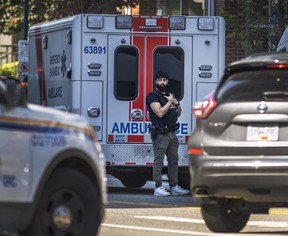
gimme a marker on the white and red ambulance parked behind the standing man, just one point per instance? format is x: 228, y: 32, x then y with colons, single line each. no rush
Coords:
x: 103, y: 66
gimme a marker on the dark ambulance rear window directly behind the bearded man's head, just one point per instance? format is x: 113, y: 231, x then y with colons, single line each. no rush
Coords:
x: 171, y: 60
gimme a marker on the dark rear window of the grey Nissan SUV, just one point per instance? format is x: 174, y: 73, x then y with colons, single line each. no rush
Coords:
x: 259, y: 85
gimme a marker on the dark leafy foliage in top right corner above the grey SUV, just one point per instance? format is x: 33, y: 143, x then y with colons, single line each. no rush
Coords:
x: 256, y: 25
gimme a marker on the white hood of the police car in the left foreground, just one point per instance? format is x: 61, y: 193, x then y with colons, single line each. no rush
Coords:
x: 50, y: 114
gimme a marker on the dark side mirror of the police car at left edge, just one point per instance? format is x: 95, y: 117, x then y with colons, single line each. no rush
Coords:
x: 12, y: 94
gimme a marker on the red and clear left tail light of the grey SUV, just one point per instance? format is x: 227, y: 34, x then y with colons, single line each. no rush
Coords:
x: 203, y: 109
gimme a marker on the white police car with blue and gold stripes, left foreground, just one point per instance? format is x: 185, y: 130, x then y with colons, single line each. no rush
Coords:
x: 52, y: 170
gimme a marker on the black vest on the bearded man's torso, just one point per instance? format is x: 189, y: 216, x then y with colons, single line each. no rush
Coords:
x: 169, y: 119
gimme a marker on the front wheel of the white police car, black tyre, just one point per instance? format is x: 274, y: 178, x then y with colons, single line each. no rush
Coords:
x: 69, y: 206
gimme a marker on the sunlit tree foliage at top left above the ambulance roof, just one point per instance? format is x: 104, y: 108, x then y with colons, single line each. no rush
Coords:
x: 12, y: 11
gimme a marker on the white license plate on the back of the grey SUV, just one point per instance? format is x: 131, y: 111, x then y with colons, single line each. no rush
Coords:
x: 262, y: 133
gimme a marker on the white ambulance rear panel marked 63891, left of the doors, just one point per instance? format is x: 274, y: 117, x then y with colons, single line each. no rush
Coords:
x: 92, y: 79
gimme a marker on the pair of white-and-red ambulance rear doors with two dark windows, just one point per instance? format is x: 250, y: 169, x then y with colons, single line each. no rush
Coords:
x: 131, y: 80
